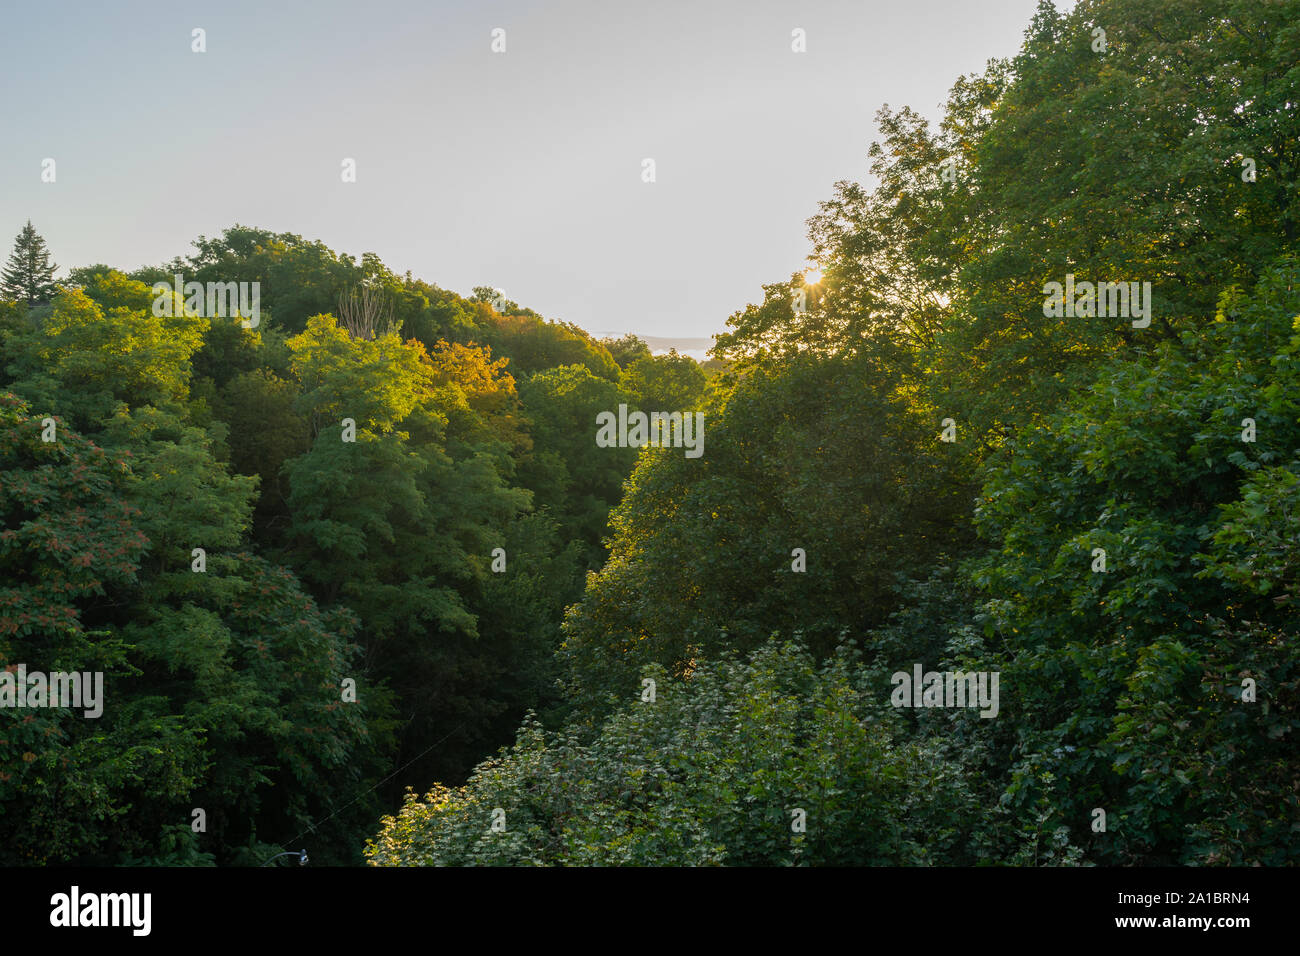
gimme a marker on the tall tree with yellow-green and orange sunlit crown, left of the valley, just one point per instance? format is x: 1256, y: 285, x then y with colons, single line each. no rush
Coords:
x: 401, y: 525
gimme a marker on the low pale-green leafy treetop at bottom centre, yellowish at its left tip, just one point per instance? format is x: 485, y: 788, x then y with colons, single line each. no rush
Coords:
x: 708, y: 773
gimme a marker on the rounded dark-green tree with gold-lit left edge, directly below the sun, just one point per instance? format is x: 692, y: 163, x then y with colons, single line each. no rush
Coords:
x: 704, y: 550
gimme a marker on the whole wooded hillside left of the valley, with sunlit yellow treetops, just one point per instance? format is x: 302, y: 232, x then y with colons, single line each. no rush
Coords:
x: 423, y: 551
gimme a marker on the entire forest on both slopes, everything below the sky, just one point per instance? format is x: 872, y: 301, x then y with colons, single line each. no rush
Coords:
x: 362, y: 576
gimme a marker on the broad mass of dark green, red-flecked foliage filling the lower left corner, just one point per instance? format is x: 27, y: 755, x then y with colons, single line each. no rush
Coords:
x: 218, y: 689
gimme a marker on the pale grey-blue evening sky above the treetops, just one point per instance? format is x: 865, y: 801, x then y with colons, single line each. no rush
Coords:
x: 519, y: 170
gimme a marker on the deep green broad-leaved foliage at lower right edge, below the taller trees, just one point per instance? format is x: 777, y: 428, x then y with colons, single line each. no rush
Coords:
x: 1125, y: 677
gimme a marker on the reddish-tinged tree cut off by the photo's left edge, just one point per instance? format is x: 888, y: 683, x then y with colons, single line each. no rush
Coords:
x: 68, y: 546
